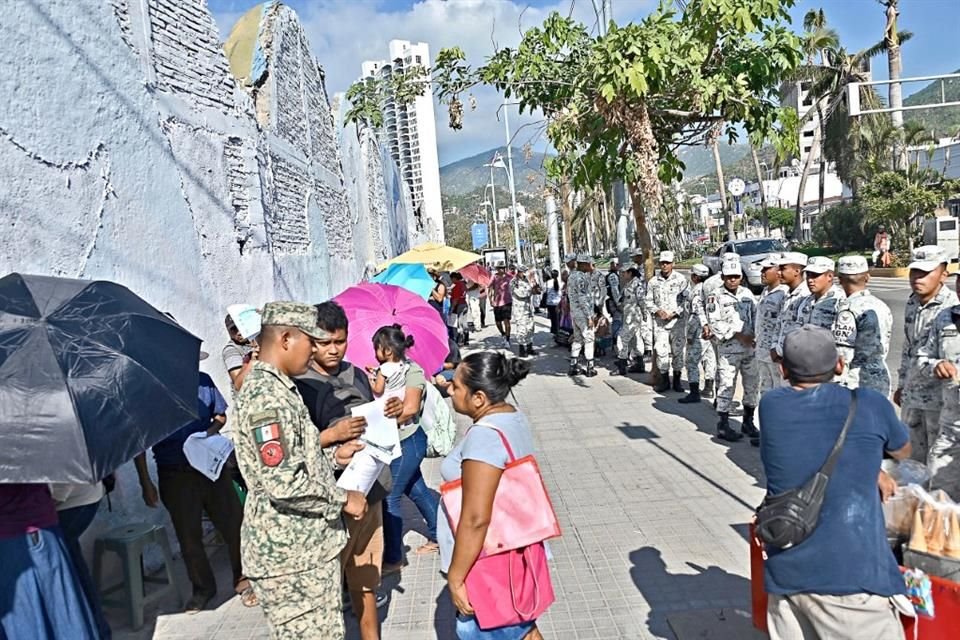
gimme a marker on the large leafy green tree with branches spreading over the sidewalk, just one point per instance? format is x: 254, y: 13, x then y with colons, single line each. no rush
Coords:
x: 620, y: 104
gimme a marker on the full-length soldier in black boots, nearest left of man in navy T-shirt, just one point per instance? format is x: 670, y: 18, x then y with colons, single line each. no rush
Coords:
x: 731, y: 310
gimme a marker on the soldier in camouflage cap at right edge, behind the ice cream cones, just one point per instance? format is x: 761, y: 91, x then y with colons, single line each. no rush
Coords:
x: 917, y: 395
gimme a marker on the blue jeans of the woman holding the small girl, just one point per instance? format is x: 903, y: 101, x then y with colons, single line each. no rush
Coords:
x: 407, y: 481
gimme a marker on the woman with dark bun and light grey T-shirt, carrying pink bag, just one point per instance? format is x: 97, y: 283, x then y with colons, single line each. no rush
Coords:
x: 479, y: 391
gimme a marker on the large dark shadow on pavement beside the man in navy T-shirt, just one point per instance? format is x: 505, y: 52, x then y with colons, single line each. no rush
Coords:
x: 670, y: 593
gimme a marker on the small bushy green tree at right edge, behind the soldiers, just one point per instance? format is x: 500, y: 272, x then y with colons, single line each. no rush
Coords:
x: 902, y: 199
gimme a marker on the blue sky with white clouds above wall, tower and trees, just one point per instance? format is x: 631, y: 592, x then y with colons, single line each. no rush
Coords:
x: 344, y: 33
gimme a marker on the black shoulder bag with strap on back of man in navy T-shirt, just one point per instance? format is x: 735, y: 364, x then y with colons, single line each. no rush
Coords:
x: 790, y: 517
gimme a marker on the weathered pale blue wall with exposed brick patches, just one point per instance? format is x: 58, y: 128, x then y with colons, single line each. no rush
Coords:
x: 130, y: 153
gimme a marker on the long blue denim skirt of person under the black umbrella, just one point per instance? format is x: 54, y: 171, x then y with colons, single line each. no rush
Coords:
x: 40, y: 596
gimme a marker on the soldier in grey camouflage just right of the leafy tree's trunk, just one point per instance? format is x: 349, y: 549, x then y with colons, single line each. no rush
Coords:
x: 664, y: 299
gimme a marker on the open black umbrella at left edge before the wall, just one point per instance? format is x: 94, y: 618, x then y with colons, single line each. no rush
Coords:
x: 90, y: 375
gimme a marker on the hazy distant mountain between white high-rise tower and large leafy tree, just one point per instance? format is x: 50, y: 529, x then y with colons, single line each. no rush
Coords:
x: 467, y: 175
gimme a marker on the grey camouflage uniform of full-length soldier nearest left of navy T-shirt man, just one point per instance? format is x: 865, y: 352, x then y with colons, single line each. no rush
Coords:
x: 730, y: 313
